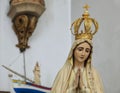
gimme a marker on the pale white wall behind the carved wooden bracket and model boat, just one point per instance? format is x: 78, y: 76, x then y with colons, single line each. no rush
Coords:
x: 50, y: 43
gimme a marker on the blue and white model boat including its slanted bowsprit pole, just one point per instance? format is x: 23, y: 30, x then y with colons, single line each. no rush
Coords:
x: 20, y: 86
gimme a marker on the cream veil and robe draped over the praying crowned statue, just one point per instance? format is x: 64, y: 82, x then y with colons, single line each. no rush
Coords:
x: 65, y: 77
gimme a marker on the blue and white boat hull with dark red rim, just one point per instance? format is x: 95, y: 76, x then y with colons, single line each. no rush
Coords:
x: 26, y: 87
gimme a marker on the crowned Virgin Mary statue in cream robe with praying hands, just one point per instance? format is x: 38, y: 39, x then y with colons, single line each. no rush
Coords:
x: 78, y: 74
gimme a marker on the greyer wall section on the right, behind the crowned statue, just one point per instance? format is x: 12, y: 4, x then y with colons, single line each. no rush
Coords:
x: 106, y: 42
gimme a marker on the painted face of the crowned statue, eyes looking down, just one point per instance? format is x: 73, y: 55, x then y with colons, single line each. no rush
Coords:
x: 82, y: 52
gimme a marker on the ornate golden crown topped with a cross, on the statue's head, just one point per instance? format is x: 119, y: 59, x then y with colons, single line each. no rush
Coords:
x: 88, y: 22
